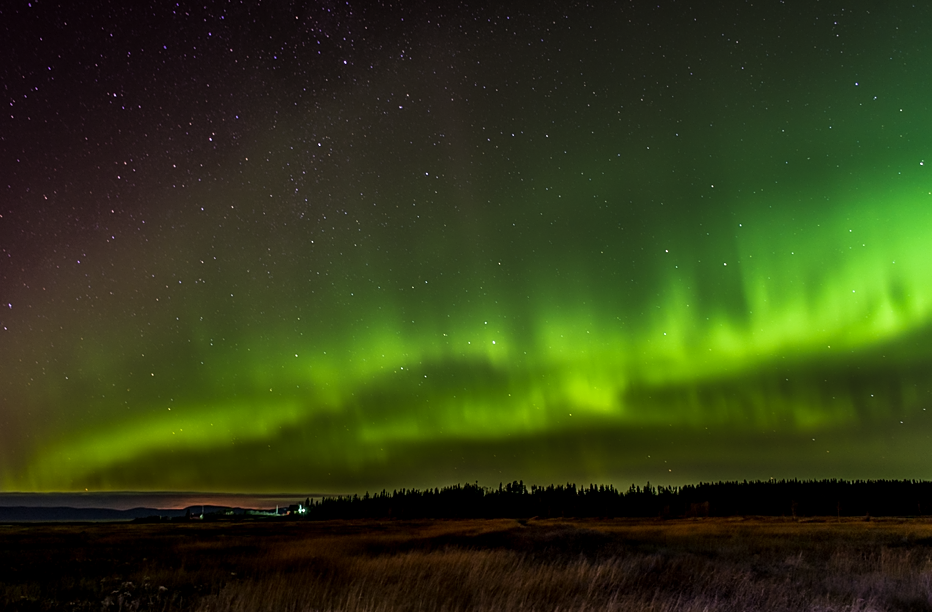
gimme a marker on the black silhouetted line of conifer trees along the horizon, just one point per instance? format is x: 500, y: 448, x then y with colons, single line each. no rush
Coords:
x: 761, y: 498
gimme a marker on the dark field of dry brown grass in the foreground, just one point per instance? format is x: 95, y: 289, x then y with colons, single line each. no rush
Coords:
x: 699, y: 564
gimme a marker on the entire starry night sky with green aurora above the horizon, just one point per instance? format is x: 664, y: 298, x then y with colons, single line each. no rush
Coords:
x: 335, y: 246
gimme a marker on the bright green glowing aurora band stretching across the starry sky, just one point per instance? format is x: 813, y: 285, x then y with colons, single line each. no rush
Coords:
x: 848, y: 285
